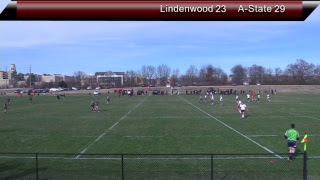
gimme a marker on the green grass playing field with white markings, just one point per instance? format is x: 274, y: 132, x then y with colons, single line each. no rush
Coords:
x: 159, y: 124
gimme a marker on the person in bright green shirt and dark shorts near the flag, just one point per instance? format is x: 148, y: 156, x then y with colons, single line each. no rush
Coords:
x: 292, y: 136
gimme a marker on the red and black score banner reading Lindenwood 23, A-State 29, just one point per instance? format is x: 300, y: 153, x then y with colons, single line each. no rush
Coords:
x: 148, y: 10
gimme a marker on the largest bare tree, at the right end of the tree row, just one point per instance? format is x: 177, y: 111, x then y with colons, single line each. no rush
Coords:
x: 300, y: 72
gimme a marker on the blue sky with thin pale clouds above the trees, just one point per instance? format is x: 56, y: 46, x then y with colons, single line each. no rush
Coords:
x: 63, y: 47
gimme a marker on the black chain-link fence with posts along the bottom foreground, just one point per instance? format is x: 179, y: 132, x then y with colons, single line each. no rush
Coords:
x: 151, y: 166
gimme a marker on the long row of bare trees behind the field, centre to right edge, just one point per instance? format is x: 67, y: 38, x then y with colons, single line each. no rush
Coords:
x: 299, y: 73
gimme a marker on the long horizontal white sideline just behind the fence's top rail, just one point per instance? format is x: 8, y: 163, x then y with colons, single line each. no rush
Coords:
x: 177, y: 158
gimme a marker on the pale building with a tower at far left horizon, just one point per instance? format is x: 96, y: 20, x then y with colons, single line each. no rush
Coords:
x: 8, y: 78
